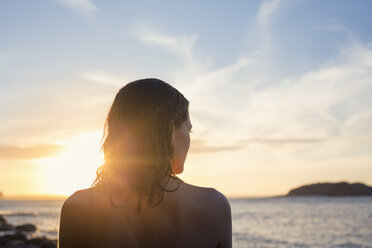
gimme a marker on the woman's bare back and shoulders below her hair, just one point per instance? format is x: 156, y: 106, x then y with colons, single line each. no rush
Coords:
x: 189, y: 217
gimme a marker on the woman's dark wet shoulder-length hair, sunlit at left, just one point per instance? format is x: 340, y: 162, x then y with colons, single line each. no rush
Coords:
x: 138, y: 137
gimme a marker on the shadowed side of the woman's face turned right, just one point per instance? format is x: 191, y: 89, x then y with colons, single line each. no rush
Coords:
x: 181, y: 144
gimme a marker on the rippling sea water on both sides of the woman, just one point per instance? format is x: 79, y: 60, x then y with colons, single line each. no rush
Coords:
x: 257, y: 222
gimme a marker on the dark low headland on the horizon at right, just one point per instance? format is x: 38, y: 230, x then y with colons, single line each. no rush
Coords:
x: 332, y: 189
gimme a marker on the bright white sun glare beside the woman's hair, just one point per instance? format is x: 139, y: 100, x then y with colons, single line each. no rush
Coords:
x: 74, y: 168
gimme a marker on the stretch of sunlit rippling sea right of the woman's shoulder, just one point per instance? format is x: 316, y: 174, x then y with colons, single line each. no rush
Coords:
x: 302, y: 222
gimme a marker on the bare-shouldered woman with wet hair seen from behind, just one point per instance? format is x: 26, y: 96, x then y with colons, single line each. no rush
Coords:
x: 137, y: 200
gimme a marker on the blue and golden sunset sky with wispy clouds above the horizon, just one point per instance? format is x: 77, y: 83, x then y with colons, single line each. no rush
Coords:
x: 280, y: 91
